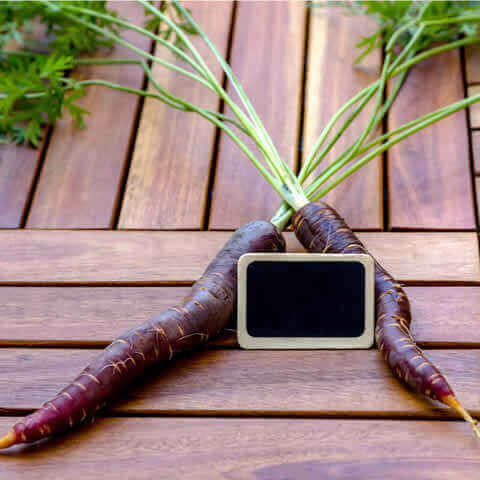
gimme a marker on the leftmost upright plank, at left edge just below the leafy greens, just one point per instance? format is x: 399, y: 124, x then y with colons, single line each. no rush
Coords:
x: 18, y: 165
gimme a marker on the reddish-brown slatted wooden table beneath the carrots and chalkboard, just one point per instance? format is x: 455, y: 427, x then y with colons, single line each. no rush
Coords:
x: 105, y: 226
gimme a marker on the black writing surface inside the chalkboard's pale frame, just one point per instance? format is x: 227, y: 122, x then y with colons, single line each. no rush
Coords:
x: 305, y: 299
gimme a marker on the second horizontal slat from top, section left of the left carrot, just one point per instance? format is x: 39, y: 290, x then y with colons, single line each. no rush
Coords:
x: 86, y: 315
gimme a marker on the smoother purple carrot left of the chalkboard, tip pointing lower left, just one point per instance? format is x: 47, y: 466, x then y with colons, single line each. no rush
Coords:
x: 201, y: 315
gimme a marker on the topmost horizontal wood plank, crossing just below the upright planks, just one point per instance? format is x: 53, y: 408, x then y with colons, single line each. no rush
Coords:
x: 66, y: 256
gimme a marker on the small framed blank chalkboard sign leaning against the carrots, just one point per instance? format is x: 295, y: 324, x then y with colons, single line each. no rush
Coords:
x: 305, y: 301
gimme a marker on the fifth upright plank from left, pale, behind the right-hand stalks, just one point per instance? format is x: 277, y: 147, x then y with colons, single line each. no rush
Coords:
x: 333, y: 39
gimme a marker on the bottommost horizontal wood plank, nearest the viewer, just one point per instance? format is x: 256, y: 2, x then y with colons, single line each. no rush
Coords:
x: 248, y: 449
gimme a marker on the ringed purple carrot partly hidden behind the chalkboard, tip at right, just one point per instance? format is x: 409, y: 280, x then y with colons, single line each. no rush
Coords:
x: 321, y: 229
